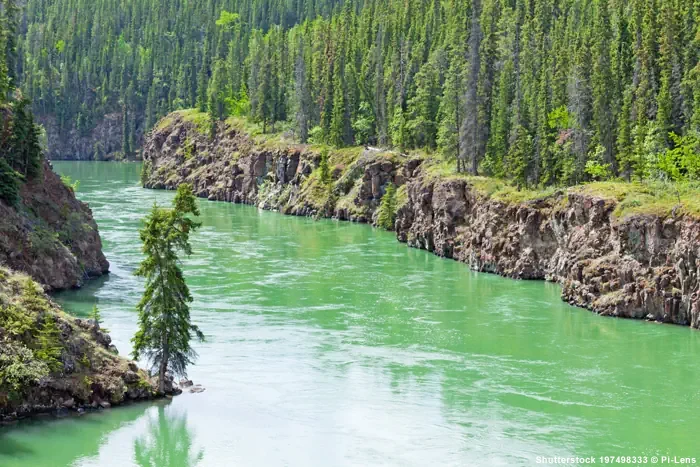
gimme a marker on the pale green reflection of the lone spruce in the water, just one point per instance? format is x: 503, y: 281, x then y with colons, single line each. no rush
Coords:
x: 168, y: 442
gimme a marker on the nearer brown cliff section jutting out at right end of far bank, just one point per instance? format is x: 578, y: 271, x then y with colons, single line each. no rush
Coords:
x: 643, y: 266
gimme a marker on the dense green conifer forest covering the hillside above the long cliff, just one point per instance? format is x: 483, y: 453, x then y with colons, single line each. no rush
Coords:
x: 539, y: 91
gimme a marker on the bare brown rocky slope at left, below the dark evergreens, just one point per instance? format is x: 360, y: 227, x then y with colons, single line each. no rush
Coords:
x: 51, y: 235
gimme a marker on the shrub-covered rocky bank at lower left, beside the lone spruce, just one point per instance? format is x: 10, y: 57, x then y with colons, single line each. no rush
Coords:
x: 51, y: 361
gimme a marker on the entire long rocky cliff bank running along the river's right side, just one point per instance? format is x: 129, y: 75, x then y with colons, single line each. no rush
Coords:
x: 639, y: 265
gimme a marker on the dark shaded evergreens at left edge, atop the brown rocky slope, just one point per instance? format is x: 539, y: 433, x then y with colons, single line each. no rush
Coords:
x: 20, y: 151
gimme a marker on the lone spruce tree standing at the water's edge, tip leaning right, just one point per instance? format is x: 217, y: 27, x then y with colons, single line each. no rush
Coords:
x: 165, y: 329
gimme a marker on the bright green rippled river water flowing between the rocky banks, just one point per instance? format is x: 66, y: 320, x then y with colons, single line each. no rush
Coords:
x: 330, y: 343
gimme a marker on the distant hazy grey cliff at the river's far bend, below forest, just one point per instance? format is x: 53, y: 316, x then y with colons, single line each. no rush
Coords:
x: 102, y: 142
